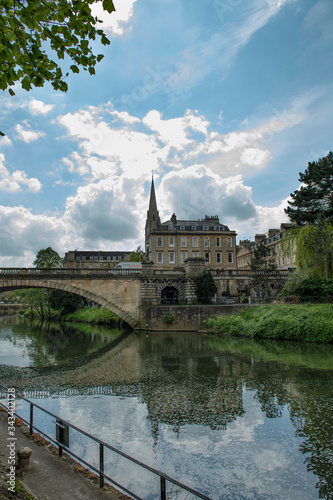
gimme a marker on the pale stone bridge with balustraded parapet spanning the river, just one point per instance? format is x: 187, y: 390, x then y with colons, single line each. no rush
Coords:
x: 128, y: 292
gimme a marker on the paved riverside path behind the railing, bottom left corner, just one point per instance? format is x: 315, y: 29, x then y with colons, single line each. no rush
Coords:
x: 50, y: 477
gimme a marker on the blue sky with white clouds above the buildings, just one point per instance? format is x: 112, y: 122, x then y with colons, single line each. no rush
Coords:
x: 224, y: 101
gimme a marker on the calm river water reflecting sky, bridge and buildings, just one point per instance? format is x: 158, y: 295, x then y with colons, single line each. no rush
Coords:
x: 232, y: 418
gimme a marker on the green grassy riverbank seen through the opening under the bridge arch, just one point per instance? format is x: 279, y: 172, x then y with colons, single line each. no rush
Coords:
x: 85, y: 315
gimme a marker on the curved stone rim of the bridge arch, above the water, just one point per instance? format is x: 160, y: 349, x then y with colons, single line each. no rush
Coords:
x: 68, y: 287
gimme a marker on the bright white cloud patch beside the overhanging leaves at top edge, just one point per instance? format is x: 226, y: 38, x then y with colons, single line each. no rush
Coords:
x: 115, y: 21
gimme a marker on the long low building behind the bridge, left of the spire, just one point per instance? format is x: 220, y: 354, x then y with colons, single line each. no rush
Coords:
x: 76, y: 259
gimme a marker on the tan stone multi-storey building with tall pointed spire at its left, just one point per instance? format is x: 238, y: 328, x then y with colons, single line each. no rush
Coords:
x: 170, y: 243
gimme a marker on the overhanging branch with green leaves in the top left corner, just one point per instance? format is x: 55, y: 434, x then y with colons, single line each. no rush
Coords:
x: 29, y: 29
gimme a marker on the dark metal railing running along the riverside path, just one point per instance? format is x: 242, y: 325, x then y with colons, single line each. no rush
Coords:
x: 62, y: 436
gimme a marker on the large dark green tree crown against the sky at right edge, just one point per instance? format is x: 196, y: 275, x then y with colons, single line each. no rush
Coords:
x: 314, y: 200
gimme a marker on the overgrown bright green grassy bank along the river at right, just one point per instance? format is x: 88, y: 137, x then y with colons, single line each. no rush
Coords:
x: 309, y: 323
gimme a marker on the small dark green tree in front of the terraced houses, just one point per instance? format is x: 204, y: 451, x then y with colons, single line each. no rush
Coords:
x: 262, y: 263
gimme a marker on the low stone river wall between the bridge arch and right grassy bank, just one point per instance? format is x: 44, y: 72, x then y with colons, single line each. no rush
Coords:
x: 185, y: 318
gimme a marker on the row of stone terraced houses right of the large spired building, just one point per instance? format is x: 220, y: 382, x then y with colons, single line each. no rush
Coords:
x: 246, y: 248
